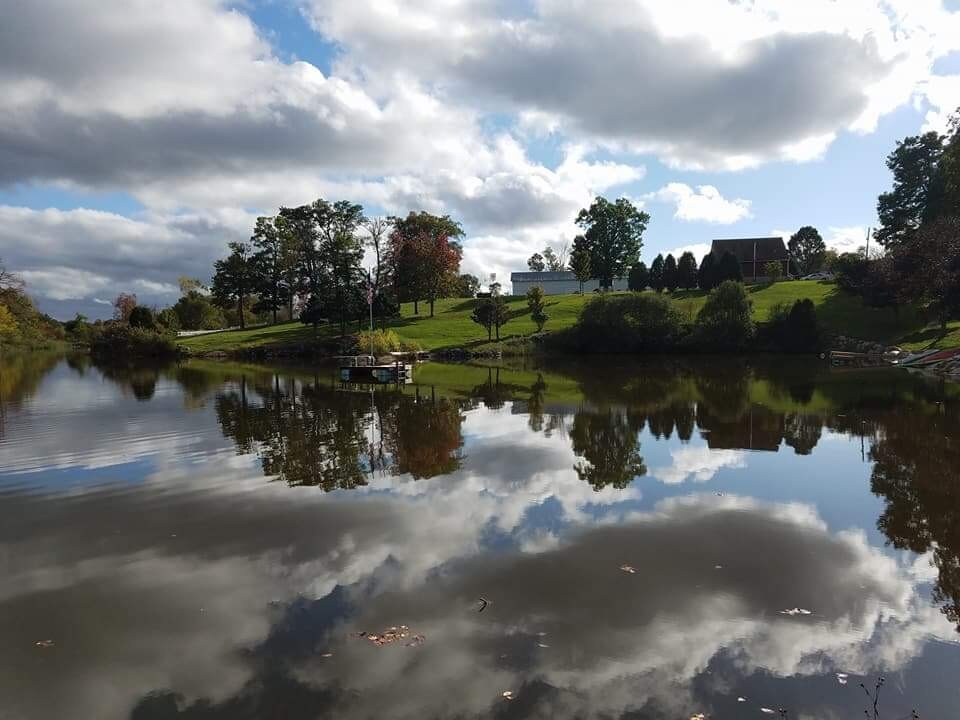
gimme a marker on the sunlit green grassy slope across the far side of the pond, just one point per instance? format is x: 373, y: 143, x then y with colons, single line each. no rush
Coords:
x: 452, y: 327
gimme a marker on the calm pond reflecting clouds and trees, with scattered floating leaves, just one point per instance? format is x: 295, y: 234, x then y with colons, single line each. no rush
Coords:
x: 614, y: 538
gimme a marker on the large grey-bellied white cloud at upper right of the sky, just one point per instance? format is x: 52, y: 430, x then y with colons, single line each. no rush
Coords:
x: 780, y: 81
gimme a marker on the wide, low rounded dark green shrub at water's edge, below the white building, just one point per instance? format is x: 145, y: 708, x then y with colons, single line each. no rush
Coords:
x: 629, y: 323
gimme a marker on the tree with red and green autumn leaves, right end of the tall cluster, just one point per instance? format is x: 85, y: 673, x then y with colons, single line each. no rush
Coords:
x: 424, y: 257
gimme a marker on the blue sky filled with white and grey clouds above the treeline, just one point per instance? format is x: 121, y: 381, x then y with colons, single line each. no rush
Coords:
x: 135, y: 143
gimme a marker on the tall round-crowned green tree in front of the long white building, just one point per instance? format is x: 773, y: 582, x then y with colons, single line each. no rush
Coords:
x: 614, y: 236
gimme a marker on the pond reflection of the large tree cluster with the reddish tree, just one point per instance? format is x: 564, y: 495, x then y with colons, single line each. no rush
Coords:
x: 314, y: 434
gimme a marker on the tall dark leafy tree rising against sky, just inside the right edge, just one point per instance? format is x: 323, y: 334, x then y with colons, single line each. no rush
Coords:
x: 919, y: 189
